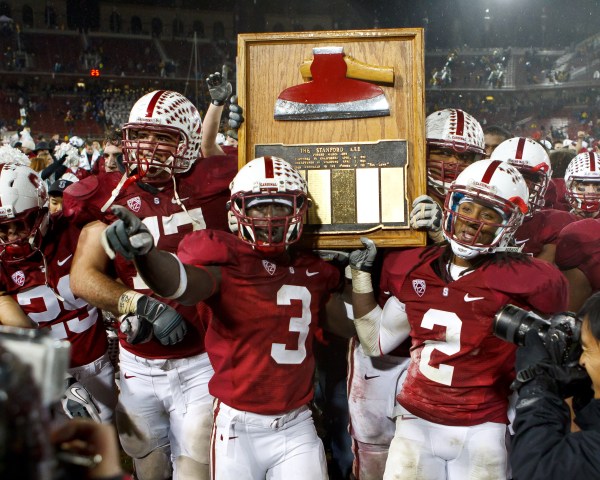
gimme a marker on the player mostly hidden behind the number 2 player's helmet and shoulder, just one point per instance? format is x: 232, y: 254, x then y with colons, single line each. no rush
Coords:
x: 540, y: 228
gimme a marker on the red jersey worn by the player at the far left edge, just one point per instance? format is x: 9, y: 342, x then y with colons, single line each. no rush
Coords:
x: 54, y: 306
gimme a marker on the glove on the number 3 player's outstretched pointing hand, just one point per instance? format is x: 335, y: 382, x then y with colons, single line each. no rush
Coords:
x: 127, y: 236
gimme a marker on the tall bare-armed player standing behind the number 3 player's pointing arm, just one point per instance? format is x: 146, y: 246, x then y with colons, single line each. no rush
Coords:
x: 164, y: 408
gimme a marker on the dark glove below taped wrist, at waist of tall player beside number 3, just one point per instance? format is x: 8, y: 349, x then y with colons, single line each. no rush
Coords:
x: 168, y: 325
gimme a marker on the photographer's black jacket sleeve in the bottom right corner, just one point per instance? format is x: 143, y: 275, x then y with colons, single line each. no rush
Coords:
x: 543, y: 447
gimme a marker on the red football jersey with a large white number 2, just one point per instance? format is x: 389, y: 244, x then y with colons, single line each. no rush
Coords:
x: 460, y: 372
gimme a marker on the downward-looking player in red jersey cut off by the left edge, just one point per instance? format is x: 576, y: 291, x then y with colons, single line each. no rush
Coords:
x: 36, y: 252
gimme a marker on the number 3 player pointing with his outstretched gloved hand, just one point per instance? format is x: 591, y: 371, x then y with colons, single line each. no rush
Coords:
x: 261, y: 343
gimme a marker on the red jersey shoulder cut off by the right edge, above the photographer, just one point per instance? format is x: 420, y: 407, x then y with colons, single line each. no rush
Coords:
x: 578, y: 247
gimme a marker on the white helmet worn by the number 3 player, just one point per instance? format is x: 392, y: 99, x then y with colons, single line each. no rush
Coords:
x: 269, y: 180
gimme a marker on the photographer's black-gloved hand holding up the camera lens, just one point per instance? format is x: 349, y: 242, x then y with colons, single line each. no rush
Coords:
x: 536, y: 369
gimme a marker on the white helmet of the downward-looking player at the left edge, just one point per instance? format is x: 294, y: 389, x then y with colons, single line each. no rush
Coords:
x: 23, y: 199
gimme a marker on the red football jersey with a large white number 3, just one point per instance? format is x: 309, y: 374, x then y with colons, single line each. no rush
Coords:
x: 265, y: 316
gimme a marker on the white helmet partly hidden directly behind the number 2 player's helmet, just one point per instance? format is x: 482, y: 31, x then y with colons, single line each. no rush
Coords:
x: 531, y: 159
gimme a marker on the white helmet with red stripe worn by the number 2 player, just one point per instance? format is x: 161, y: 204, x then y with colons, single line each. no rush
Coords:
x: 493, y: 184
